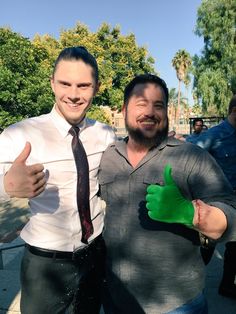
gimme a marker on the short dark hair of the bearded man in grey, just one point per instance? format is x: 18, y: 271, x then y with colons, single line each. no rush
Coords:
x: 142, y: 79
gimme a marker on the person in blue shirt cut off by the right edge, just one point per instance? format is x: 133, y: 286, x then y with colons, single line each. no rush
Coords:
x: 220, y: 142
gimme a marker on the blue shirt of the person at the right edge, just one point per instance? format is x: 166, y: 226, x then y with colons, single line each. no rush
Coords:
x: 220, y: 142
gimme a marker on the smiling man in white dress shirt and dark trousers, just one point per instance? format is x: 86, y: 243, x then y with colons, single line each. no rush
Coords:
x: 59, y: 269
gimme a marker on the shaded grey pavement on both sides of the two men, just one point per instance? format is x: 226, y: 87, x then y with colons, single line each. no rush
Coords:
x: 14, y: 214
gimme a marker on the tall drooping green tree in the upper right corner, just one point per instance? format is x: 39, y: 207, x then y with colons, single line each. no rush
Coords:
x: 215, y: 68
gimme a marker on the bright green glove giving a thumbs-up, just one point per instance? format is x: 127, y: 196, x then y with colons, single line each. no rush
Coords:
x: 166, y: 203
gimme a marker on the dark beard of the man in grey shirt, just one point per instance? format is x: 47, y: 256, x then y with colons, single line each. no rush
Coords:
x: 140, y: 138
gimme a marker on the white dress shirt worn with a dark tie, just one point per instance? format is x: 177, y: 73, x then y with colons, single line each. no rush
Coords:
x: 54, y: 223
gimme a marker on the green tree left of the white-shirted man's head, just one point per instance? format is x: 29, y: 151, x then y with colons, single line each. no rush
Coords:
x: 22, y: 77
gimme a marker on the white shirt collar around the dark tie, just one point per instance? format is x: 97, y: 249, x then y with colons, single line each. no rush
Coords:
x: 62, y: 125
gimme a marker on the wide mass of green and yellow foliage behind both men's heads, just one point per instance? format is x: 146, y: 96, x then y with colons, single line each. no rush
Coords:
x: 26, y: 67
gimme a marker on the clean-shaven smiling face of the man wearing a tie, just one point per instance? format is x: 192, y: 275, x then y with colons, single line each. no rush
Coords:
x: 74, y: 87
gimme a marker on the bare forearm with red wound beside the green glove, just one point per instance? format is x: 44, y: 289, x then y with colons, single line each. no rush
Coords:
x: 209, y: 220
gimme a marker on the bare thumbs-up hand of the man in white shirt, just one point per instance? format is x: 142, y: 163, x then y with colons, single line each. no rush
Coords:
x: 24, y: 181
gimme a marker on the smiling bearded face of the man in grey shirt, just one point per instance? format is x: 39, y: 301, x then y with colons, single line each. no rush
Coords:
x: 146, y: 114
